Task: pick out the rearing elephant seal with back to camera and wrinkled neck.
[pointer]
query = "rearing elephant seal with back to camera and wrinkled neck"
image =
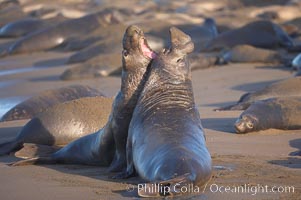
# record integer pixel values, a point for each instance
(166, 139)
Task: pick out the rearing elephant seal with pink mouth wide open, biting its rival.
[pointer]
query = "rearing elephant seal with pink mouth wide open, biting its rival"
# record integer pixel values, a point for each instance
(108, 145)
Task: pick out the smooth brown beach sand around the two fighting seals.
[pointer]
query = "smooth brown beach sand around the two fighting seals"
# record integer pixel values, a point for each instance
(257, 158)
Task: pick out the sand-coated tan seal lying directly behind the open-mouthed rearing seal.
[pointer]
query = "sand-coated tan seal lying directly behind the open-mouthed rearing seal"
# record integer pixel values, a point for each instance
(62, 123)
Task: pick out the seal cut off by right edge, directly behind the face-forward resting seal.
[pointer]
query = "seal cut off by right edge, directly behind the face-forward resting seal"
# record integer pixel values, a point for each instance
(285, 88)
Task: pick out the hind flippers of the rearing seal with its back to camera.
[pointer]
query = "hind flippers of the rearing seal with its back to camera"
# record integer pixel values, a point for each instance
(169, 187)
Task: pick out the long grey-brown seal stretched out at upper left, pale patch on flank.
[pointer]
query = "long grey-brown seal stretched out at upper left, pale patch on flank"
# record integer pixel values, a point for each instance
(54, 36)
